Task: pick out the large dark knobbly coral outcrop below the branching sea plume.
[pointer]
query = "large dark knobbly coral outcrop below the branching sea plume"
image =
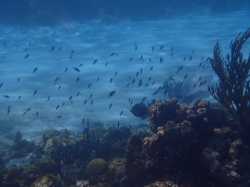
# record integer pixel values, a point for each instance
(194, 145)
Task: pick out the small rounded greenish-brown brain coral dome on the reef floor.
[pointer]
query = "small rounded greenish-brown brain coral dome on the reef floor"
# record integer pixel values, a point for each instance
(96, 167)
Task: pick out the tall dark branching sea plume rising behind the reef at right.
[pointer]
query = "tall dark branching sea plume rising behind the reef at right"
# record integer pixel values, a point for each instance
(233, 90)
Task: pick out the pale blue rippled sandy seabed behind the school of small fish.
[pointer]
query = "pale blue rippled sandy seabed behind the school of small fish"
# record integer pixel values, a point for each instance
(68, 45)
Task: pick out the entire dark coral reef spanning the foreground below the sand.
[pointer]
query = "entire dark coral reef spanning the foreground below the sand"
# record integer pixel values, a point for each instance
(196, 145)
